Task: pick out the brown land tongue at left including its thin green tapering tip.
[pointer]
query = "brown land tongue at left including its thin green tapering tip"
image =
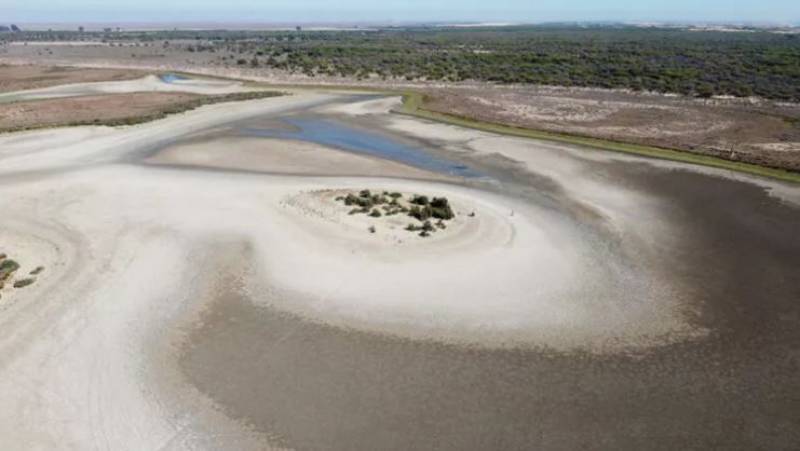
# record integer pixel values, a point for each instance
(110, 110)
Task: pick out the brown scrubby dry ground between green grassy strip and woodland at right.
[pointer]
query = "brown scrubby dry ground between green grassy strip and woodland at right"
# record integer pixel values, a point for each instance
(758, 132)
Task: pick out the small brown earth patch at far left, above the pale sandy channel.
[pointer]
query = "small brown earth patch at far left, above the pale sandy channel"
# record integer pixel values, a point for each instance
(17, 78)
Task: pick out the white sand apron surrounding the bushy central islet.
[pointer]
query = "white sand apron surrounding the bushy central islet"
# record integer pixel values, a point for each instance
(512, 274)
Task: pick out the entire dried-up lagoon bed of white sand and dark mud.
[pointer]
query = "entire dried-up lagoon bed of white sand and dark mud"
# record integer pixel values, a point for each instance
(203, 302)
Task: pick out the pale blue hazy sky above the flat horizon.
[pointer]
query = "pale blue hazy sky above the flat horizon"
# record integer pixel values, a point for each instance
(785, 11)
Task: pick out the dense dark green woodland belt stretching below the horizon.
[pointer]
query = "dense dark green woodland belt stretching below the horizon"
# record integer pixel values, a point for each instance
(690, 62)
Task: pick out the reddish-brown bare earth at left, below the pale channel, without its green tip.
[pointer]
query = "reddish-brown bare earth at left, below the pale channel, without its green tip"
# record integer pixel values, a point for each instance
(105, 109)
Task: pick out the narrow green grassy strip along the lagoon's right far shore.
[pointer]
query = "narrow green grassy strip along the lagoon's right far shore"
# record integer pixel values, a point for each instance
(414, 105)
